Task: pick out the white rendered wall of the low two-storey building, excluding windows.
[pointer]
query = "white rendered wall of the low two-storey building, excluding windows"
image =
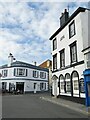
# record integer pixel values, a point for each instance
(28, 80)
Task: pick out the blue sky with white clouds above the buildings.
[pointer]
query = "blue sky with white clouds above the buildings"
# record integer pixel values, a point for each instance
(25, 28)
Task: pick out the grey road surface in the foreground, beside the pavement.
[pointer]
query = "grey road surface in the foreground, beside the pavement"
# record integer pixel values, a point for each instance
(32, 106)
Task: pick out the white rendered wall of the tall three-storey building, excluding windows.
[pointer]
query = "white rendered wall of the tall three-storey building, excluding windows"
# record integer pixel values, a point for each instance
(81, 33)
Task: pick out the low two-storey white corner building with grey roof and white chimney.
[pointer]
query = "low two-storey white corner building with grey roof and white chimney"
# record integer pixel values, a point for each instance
(22, 76)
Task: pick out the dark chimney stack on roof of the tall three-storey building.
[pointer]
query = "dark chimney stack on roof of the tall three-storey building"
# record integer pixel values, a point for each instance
(64, 17)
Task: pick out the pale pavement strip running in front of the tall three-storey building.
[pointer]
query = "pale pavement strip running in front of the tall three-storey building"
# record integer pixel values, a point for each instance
(69, 104)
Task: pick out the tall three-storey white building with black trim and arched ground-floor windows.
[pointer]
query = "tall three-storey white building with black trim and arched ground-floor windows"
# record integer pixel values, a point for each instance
(67, 54)
